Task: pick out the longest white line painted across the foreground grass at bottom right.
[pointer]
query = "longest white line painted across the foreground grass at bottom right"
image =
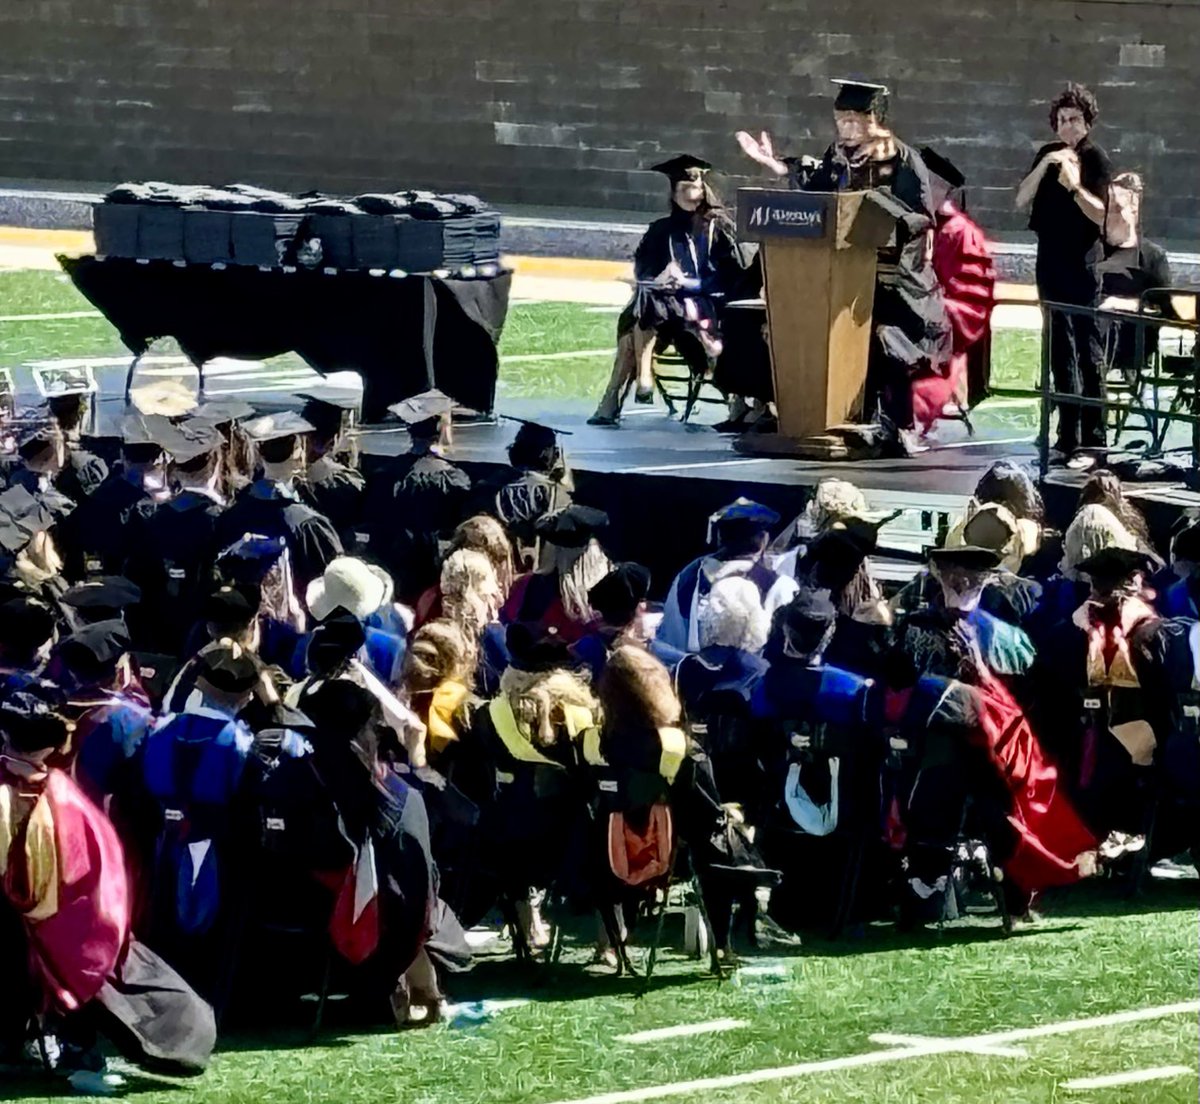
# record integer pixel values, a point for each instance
(883, 1058)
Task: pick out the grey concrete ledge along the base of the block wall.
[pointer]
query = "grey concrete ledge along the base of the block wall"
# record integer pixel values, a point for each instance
(599, 236)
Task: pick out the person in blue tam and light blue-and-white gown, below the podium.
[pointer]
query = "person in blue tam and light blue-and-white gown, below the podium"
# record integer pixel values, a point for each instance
(742, 532)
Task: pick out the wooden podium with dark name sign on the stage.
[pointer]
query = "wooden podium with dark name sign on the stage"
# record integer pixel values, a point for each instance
(819, 253)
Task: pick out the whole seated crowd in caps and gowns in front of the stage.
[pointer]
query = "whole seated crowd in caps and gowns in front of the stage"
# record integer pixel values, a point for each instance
(266, 722)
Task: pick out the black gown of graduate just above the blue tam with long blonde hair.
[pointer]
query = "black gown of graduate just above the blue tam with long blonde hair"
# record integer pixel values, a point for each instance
(272, 509)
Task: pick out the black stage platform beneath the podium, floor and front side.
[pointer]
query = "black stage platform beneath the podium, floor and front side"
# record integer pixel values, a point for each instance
(659, 481)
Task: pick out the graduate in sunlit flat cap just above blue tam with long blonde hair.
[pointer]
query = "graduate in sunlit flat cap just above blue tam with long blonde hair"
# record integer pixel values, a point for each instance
(271, 506)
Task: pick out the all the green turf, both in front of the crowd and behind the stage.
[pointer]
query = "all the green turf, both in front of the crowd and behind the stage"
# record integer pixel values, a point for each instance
(1093, 953)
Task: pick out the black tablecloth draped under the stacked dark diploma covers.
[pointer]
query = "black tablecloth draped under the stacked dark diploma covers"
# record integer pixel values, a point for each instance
(404, 335)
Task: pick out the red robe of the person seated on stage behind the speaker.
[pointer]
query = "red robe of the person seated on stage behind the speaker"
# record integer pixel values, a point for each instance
(967, 272)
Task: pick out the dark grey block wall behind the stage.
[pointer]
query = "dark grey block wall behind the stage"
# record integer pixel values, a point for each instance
(565, 103)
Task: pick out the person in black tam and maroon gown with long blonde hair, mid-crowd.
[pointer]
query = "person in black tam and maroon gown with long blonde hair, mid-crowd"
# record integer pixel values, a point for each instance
(555, 598)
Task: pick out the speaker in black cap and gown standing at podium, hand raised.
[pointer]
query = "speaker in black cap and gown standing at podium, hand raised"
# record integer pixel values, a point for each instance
(911, 334)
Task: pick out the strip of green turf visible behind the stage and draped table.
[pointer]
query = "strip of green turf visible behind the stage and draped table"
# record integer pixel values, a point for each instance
(533, 331)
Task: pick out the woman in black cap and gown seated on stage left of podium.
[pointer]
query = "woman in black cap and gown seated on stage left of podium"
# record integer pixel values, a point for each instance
(685, 266)
